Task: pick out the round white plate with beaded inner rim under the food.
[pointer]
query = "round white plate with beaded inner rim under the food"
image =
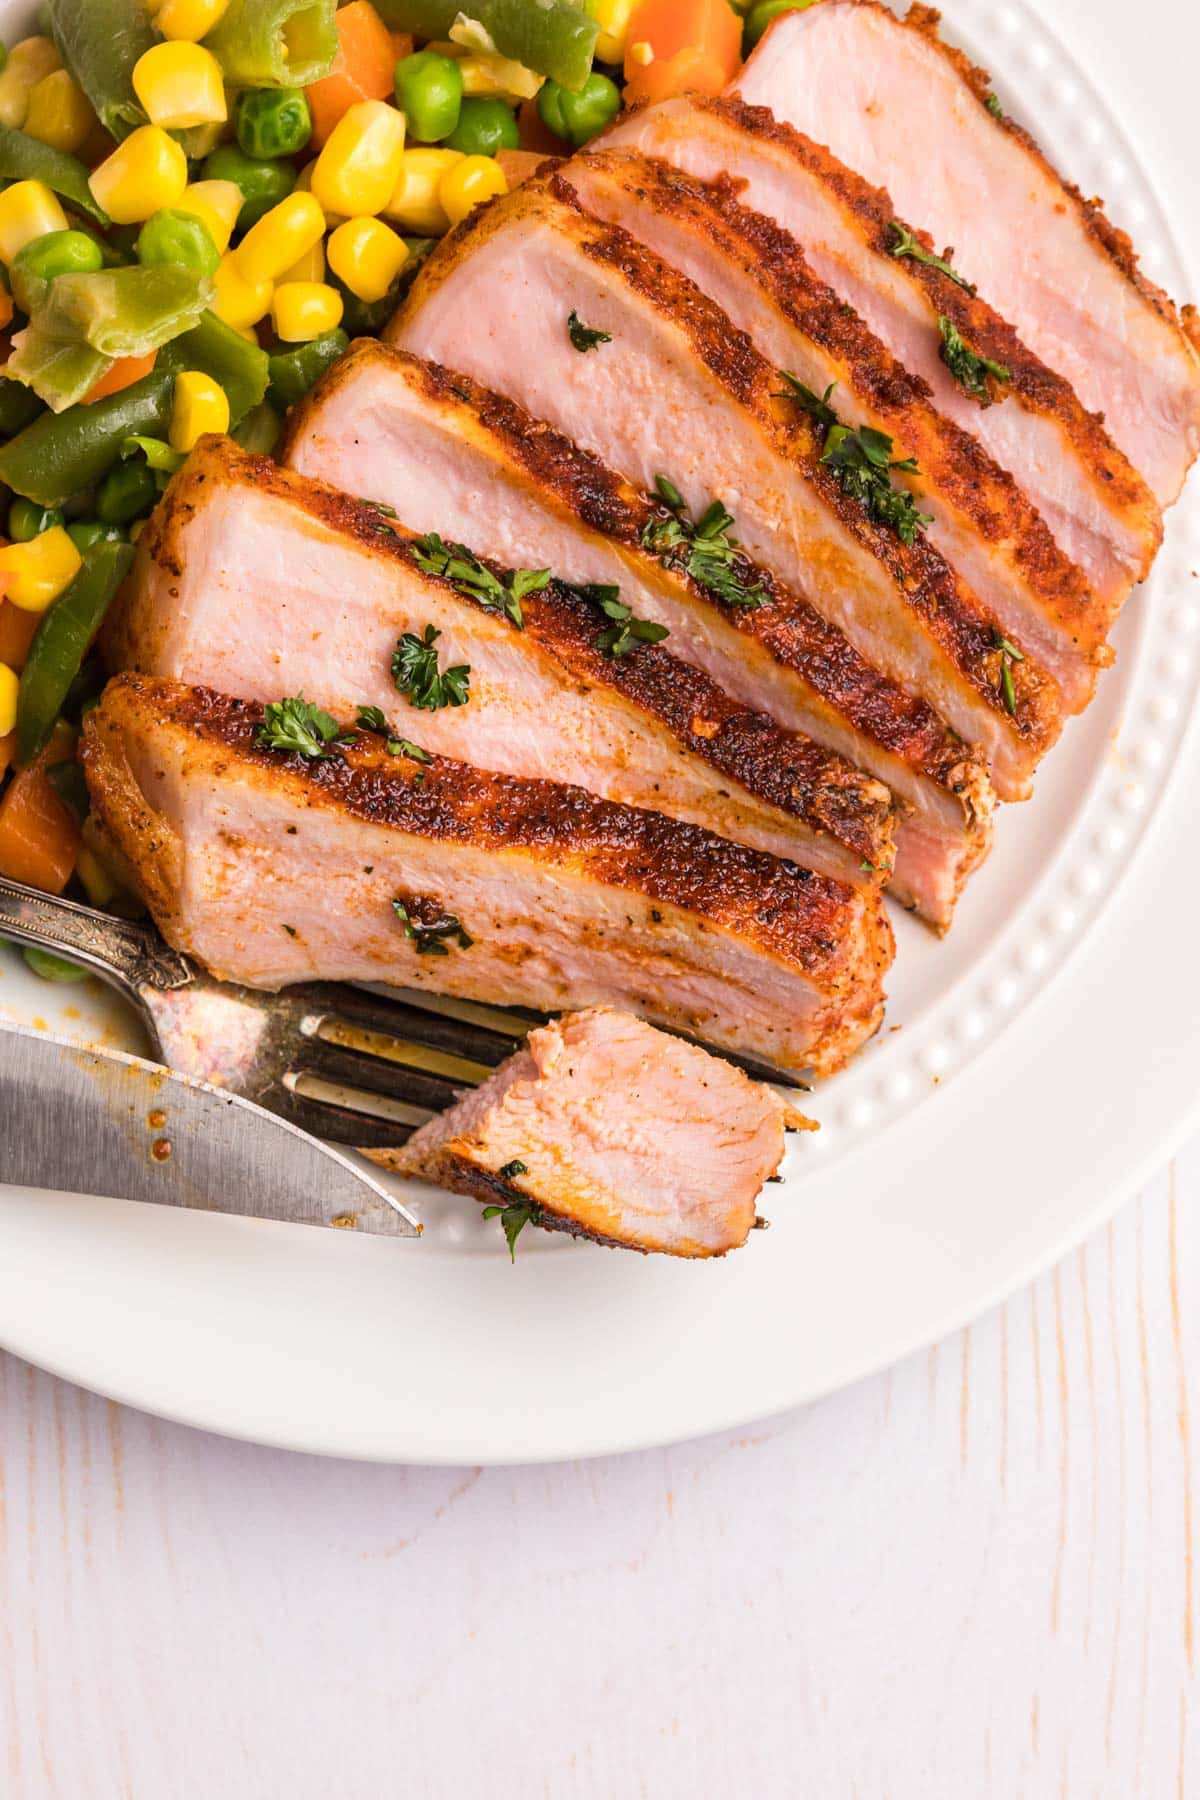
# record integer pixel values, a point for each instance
(1034, 1070)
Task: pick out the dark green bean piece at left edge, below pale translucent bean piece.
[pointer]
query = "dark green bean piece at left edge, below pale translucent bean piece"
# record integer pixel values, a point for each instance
(64, 454)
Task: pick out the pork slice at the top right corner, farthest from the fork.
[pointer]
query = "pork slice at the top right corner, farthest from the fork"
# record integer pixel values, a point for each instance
(911, 114)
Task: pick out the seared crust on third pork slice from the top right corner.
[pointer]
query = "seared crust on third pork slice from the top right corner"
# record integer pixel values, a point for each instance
(951, 458)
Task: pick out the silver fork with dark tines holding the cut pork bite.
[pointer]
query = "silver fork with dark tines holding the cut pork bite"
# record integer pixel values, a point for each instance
(343, 1063)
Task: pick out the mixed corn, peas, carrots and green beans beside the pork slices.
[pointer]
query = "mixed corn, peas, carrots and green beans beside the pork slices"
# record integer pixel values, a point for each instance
(201, 204)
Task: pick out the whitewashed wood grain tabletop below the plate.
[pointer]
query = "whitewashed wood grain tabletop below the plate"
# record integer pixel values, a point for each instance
(972, 1576)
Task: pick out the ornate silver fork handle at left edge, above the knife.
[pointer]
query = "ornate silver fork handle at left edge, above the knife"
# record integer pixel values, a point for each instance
(123, 951)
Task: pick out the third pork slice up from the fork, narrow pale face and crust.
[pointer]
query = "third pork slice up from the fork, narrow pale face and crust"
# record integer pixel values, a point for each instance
(469, 462)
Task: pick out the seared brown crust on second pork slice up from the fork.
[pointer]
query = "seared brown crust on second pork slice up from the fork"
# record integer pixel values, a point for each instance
(789, 771)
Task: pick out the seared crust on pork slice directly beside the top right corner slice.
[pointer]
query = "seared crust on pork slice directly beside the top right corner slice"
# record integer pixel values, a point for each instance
(1032, 382)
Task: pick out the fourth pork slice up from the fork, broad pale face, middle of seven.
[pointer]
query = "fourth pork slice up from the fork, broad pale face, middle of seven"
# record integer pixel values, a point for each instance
(681, 393)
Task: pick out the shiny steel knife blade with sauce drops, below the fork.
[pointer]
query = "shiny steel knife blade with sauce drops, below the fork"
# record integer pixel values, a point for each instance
(102, 1122)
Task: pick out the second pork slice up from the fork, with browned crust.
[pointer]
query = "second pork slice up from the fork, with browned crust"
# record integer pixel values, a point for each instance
(251, 577)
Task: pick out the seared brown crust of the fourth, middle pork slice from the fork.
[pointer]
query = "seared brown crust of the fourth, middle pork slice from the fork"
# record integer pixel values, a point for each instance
(945, 607)
